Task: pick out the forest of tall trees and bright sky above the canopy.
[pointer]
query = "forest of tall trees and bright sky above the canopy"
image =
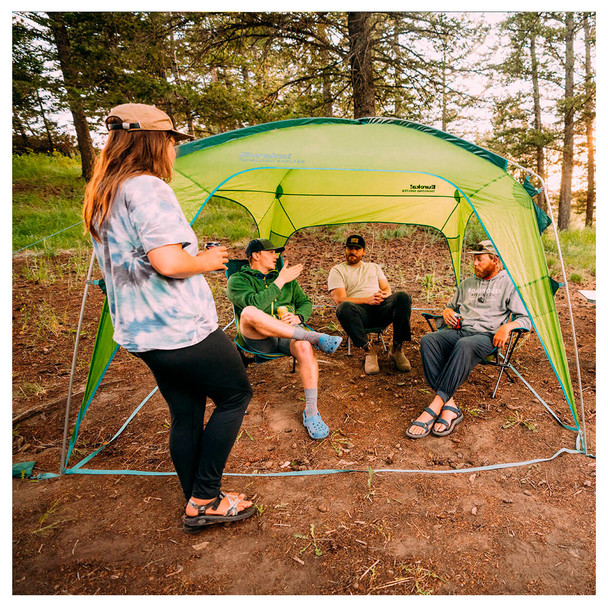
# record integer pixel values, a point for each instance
(521, 84)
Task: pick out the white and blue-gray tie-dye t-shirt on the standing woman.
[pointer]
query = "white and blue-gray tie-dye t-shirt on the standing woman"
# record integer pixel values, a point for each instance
(150, 311)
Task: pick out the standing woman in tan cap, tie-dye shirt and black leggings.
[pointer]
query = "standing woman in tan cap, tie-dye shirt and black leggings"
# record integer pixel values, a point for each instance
(162, 308)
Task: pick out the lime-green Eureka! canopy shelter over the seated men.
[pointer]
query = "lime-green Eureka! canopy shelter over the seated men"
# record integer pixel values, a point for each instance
(301, 173)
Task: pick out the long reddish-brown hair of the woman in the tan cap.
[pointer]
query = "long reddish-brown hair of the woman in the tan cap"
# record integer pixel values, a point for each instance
(126, 154)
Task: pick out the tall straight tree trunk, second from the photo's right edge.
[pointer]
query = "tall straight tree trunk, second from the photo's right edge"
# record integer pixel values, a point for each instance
(565, 194)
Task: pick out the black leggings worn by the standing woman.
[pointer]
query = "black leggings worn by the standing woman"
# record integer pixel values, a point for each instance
(186, 377)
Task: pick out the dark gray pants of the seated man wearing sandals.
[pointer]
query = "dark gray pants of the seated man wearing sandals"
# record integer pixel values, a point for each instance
(449, 355)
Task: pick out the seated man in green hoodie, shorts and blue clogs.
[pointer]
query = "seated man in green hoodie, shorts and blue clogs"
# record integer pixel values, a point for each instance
(272, 310)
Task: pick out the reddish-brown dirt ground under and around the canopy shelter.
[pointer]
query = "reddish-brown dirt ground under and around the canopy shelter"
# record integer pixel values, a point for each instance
(517, 530)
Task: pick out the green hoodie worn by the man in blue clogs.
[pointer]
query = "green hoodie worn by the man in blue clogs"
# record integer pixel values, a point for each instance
(250, 287)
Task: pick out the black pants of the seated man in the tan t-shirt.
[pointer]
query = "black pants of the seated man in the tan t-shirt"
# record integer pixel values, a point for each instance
(356, 318)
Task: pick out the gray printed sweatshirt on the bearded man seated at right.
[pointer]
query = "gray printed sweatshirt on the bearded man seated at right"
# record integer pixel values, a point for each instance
(485, 305)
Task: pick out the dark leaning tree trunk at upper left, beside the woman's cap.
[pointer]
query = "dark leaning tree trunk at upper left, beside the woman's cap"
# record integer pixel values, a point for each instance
(70, 79)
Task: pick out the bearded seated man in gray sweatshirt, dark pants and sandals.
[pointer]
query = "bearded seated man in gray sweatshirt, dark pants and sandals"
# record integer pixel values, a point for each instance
(479, 317)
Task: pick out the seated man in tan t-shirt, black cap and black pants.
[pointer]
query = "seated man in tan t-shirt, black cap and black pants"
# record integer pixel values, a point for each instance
(364, 299)
